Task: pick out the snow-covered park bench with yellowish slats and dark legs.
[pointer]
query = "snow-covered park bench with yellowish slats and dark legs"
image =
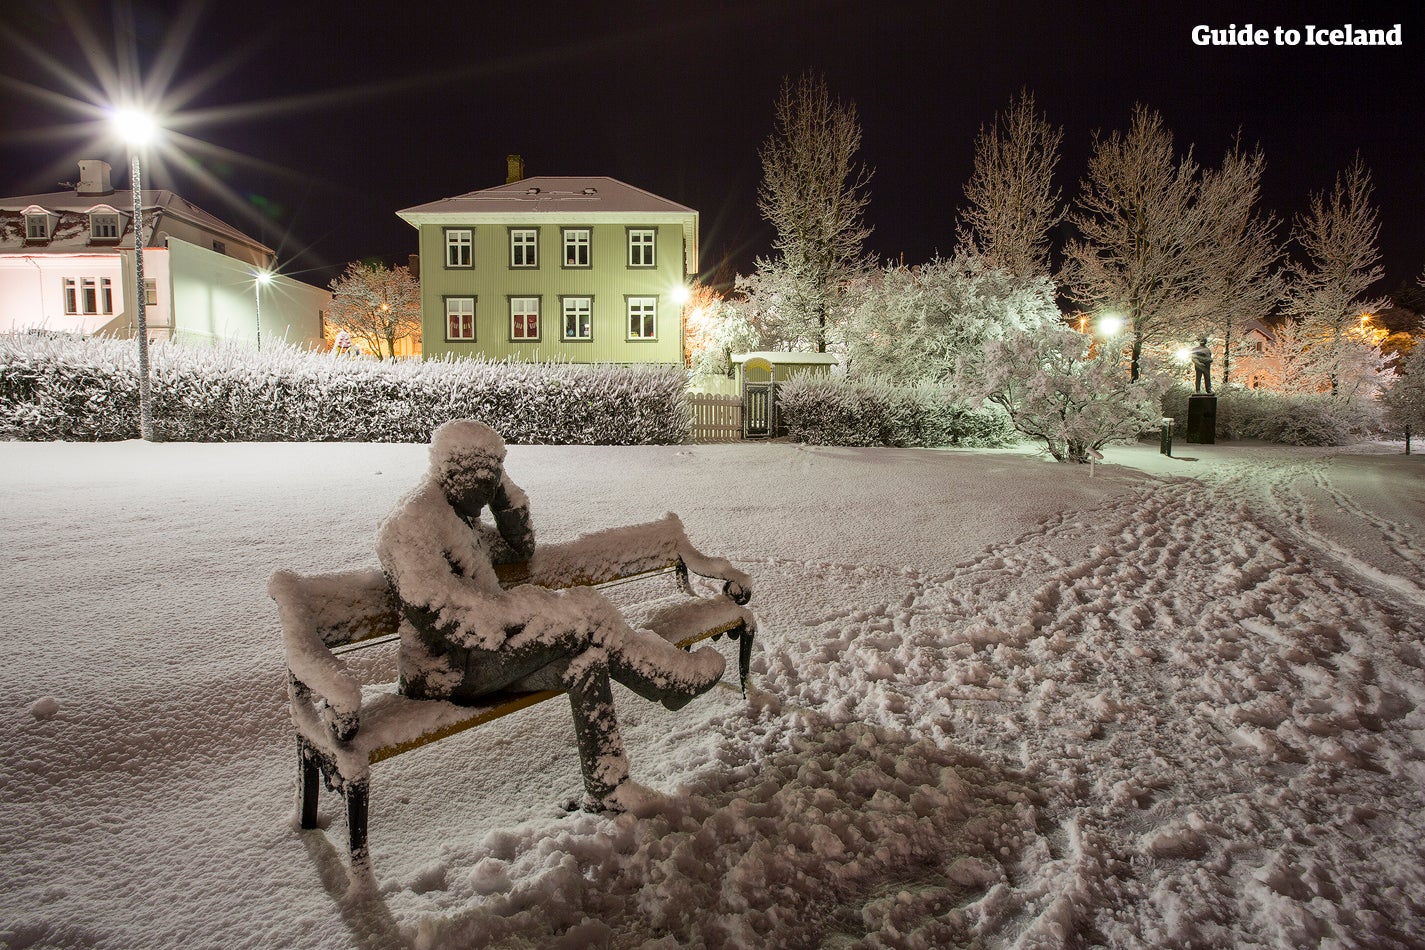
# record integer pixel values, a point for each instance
(346, 727)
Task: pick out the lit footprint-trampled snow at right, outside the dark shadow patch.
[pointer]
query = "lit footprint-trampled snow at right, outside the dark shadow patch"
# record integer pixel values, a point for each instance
(1211, 713)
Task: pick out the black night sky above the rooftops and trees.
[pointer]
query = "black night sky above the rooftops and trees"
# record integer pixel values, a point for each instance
(326, 119)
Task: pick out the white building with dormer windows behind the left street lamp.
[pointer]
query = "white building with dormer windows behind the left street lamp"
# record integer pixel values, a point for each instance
(68, 266)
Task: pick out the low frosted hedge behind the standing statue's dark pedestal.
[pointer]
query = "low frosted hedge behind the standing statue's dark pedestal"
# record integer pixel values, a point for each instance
(1286, 419)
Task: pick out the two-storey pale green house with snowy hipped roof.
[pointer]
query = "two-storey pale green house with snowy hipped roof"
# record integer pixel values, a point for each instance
(585, 270)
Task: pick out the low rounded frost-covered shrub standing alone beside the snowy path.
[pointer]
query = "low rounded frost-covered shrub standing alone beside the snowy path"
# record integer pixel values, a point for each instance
(1059, 388)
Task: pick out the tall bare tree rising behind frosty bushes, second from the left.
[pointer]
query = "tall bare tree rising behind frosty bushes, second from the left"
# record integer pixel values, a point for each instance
(1014, 202)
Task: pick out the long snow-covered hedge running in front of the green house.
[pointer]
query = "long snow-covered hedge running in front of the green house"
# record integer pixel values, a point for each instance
(88, 391)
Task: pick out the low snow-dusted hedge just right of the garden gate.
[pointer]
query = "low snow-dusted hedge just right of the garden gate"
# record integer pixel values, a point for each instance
(833, 412)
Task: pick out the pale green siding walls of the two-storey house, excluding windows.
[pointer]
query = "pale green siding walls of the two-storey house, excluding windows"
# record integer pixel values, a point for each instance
(609, 281)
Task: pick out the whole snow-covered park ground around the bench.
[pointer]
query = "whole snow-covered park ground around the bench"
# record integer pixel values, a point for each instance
(997, 703)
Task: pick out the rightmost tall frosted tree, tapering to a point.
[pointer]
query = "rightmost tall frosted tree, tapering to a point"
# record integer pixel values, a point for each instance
(1329, 290)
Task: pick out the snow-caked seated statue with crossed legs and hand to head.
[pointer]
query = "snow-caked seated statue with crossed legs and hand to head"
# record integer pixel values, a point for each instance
(465, 637)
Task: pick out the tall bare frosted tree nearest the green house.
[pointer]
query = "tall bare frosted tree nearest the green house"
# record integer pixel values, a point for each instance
(814, 194)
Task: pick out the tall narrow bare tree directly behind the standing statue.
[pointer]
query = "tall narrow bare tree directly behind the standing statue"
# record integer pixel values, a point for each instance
(1243, 276)
